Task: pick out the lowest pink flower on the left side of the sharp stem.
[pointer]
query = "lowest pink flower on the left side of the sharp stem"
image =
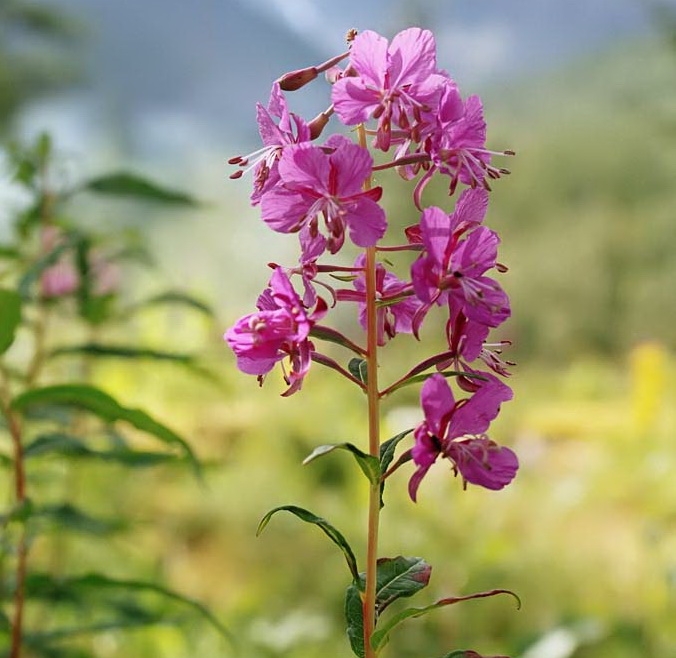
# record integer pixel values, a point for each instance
(280, 329)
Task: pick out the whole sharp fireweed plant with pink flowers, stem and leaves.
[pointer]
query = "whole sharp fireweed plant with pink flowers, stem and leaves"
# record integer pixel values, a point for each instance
(394, 99)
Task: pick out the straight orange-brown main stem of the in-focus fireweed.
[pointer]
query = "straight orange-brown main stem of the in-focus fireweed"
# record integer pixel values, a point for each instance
(373, 398)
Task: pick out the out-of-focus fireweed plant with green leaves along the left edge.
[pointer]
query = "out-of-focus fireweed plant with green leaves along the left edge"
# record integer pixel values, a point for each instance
(64, 305)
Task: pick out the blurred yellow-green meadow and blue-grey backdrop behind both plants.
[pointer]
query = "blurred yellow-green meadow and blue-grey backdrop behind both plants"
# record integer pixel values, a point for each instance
(585, 93)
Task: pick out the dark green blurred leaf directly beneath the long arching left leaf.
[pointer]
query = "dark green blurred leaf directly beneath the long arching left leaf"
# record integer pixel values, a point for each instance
(66, 445)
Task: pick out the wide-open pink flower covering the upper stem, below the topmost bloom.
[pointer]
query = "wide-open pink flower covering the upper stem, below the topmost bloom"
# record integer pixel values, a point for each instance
(325, 183)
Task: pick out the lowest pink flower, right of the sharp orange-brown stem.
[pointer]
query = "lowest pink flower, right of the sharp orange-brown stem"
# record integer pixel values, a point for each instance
(456, 430)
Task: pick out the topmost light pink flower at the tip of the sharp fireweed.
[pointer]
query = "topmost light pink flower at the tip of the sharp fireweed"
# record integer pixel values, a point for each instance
(395, 84)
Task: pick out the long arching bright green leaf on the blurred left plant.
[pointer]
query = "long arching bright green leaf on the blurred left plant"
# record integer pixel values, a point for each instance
(102, 405)
